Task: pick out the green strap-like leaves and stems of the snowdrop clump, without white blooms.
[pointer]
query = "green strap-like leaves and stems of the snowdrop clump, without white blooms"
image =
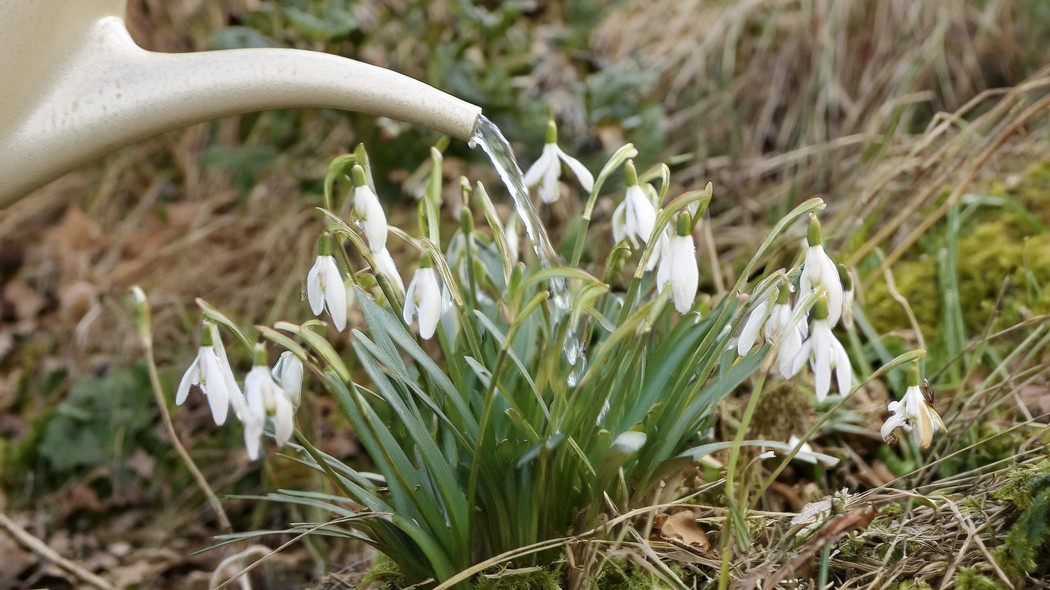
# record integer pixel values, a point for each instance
(503, 442)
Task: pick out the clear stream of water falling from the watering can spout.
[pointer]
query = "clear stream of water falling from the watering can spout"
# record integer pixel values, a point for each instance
(492, 141)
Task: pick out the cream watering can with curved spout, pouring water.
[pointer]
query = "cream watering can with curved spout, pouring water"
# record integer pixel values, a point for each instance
(75, 87)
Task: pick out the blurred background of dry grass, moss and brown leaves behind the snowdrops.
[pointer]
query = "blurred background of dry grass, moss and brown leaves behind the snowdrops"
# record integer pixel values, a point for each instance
(773, 101)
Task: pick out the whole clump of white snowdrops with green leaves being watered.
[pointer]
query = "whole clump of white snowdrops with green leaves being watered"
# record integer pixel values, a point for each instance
(487, 439)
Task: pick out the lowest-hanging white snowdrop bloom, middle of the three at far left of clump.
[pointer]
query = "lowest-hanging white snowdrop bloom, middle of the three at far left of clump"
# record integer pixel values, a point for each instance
(265, 398)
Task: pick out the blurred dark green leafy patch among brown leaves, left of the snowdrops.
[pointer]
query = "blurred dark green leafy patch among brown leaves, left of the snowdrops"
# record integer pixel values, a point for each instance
(102, 418)
